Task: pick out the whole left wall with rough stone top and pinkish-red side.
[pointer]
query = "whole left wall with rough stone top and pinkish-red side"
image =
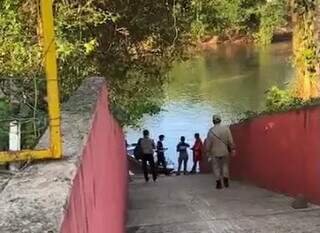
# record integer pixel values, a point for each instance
(50, 196)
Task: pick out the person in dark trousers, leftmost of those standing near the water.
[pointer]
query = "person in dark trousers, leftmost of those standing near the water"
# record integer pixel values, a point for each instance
(147, 147)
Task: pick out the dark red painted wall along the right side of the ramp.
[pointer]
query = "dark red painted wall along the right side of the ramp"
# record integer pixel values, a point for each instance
(280, 152)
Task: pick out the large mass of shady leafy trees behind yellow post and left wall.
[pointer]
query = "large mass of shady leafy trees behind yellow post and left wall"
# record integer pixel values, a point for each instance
(127, 42)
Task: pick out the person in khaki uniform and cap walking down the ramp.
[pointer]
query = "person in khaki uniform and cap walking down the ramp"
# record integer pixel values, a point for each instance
(219, 145)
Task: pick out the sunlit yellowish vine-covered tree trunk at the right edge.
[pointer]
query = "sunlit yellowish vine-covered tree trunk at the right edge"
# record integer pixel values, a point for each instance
(306, 48)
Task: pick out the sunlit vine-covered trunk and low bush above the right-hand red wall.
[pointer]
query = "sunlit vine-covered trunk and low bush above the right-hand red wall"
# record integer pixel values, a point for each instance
(304, 91)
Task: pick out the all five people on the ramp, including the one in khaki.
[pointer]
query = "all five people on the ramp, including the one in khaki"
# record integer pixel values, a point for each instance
(217, 147)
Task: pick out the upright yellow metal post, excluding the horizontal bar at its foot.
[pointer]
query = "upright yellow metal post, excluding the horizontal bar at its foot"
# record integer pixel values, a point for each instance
(49, 45)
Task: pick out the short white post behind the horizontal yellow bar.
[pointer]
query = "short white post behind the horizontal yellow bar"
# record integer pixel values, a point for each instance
(14, 142)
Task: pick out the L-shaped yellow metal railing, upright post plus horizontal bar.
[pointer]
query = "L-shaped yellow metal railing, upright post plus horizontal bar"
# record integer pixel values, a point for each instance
(49, 47)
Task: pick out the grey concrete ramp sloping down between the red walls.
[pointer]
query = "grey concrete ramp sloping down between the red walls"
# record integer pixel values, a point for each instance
(190, 204)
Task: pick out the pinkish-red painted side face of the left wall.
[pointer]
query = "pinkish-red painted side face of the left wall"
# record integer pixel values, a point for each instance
(99, 193)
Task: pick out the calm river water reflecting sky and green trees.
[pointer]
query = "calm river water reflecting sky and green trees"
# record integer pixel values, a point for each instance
(228, 81)
